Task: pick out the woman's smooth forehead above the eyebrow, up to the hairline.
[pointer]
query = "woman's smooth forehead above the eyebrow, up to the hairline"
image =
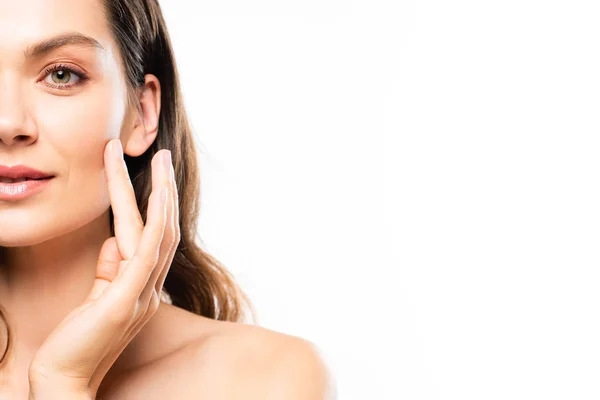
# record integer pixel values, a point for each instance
(26, 22)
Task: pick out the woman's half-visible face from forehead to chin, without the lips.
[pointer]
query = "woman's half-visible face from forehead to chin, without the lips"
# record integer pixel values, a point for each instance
(59, 106)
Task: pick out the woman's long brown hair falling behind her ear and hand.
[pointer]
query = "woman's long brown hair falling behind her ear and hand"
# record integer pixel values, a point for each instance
(196, 281)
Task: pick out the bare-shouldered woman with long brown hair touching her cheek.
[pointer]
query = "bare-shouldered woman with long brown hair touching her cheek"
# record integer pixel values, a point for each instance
(91, 116)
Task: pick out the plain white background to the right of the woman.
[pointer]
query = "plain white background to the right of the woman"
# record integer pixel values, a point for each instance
(412, 186)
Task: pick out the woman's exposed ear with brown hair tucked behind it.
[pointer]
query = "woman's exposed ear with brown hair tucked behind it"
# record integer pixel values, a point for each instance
(141, 125)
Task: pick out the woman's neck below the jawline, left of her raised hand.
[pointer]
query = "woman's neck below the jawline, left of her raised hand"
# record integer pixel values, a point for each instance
(40, 284)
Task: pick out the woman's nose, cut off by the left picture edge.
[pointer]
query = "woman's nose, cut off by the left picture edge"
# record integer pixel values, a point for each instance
(14, 127)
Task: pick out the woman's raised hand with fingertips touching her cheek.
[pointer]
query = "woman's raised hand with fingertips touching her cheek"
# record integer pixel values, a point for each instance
(130, 273)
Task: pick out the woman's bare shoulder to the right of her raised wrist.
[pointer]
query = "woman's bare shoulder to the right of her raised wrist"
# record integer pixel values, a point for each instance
(228, 361)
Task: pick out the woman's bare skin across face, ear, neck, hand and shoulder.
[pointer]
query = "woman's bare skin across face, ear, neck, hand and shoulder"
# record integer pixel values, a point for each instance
(52, 243)
